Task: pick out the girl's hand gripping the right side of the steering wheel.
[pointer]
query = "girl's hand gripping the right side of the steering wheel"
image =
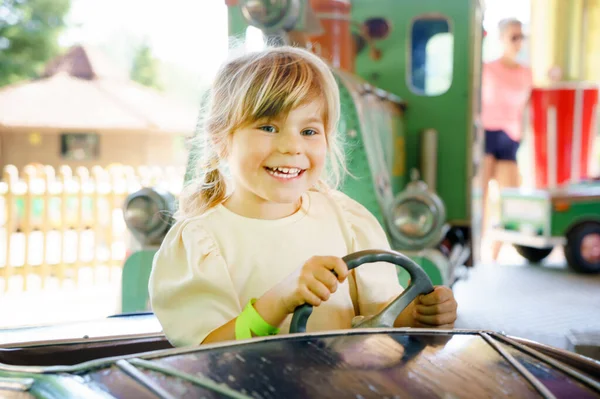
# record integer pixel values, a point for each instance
(437, 309)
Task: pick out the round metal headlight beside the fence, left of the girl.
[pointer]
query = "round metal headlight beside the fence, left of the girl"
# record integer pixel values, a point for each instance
(148, 214)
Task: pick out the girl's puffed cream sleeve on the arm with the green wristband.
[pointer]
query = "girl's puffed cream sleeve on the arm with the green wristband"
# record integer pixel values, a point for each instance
(190, 287)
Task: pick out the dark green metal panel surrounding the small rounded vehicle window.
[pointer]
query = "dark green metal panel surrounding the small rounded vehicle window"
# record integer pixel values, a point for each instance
(451, 113)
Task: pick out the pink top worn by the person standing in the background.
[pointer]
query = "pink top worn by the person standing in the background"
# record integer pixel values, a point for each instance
(504, 94)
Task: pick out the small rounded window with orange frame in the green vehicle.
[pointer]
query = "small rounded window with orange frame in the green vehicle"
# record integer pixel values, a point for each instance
(431, 56)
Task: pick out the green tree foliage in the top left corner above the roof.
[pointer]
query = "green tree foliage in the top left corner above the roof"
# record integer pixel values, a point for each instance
(29, 32)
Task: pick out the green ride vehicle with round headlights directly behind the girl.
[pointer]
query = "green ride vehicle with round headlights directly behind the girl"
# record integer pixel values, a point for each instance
(408, 75)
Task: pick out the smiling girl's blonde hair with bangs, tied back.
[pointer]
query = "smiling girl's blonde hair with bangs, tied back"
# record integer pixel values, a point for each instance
(250, 87)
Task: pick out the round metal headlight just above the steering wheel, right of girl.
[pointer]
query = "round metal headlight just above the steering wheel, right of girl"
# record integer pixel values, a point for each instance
(417, 217)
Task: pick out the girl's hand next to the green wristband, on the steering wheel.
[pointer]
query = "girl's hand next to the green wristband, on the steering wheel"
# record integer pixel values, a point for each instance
(313, 283)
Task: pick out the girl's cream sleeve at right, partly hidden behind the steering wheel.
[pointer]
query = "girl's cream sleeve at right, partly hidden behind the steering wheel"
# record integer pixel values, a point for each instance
(376, 283)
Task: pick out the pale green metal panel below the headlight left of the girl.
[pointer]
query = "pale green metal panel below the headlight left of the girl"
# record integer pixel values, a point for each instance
(136, 274)
